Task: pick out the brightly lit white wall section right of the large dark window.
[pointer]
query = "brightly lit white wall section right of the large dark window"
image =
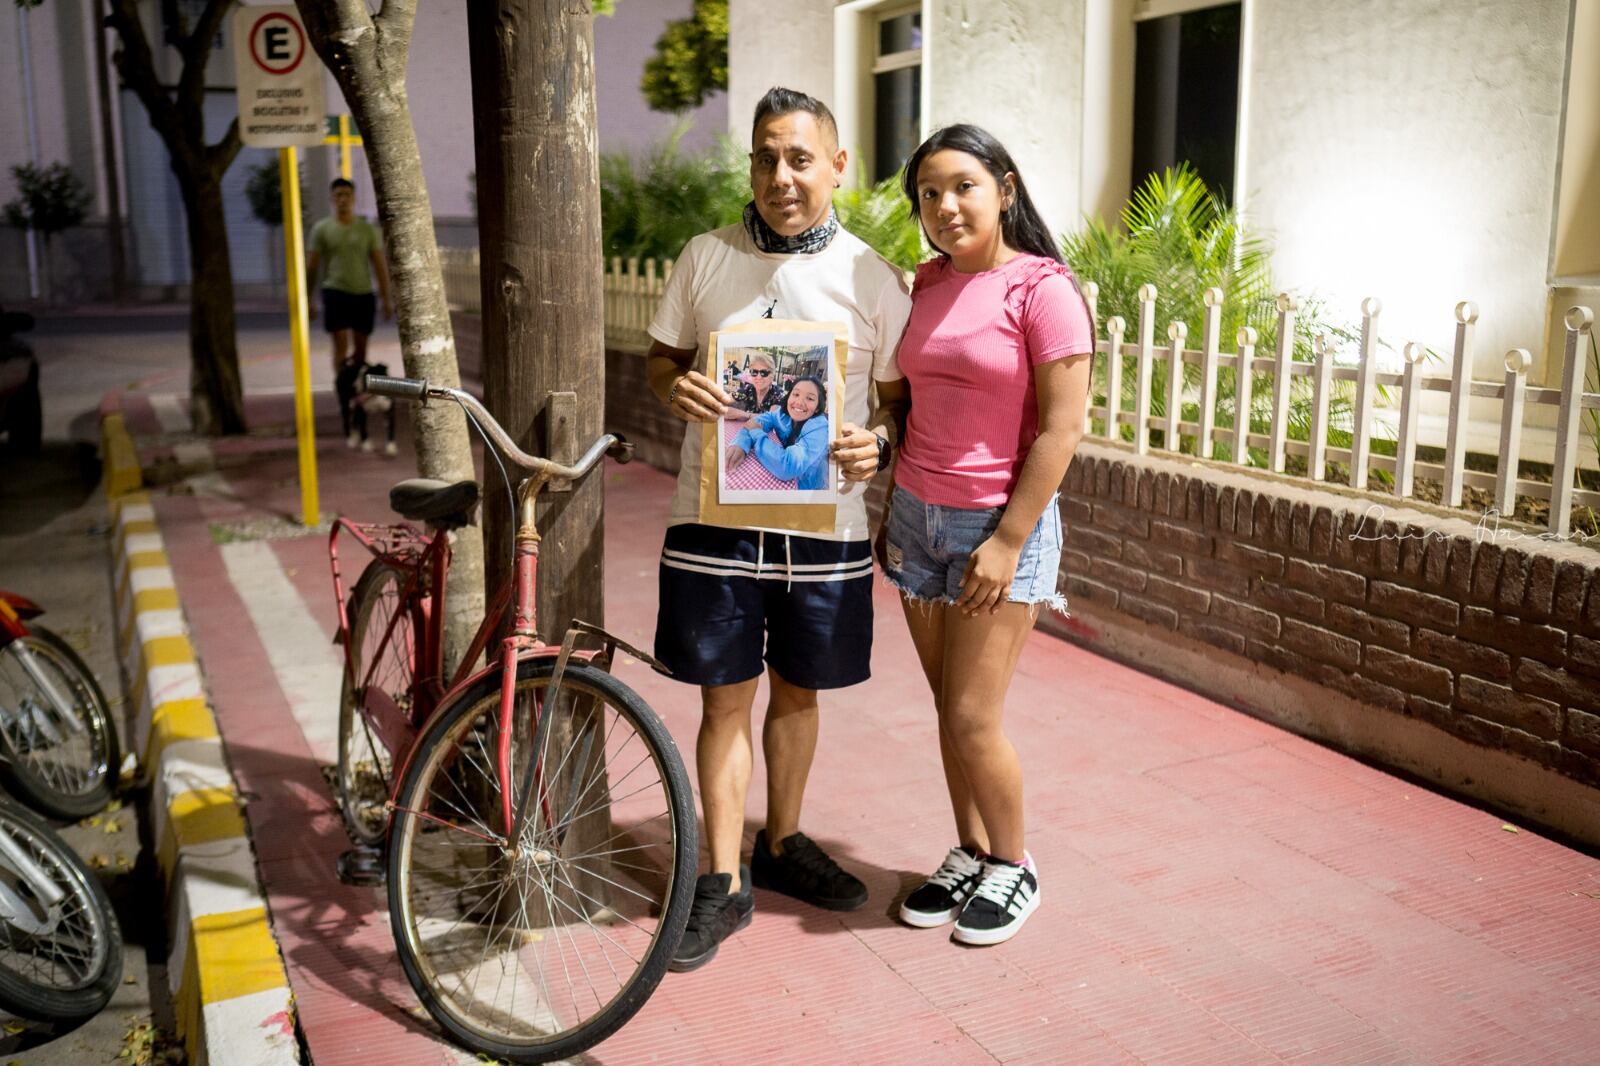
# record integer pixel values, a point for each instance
(1409, 153)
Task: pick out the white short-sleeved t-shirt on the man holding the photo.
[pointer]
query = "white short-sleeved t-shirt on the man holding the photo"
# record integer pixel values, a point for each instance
(722, 279)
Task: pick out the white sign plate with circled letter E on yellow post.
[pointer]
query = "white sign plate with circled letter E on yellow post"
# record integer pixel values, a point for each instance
(281, 81)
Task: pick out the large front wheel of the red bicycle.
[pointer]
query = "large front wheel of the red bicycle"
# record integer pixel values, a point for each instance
(545, 947)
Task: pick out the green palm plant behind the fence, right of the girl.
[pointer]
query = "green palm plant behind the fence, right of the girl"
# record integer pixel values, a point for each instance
(1177, 234)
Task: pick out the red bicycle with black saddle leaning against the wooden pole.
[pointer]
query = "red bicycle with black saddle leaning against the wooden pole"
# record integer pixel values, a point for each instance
(538, 822)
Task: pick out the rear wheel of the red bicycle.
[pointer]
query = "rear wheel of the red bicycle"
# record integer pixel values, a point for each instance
(383, 649)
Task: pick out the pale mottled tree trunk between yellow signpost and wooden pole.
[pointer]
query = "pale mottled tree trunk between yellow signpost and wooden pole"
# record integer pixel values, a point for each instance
(369, 60)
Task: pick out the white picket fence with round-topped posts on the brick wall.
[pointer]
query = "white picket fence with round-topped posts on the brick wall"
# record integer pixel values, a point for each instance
(633, 291)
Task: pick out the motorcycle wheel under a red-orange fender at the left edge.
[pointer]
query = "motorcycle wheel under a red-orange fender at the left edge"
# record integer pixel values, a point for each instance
(60, 743)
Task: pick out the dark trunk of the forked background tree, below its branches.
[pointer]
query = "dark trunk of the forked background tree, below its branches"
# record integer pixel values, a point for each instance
(217, 395)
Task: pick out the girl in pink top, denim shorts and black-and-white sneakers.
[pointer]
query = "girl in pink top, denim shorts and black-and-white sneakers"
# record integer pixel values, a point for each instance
(998, 366)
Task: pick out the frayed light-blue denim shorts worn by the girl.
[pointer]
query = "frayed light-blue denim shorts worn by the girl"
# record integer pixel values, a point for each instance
(929, 547)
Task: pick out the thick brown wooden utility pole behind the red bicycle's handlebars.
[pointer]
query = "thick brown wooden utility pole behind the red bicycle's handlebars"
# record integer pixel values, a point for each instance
(534, 105)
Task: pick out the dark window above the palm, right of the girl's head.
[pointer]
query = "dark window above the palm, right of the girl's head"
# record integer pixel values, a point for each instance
(1186, 95)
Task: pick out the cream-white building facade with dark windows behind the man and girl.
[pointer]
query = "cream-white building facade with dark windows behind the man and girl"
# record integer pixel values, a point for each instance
(1423, 154)
